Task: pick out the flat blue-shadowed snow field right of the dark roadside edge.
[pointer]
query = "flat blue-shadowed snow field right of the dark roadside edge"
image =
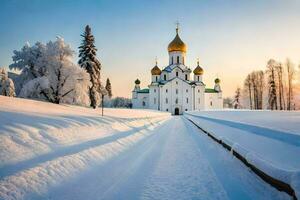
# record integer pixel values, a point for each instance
(268, 140)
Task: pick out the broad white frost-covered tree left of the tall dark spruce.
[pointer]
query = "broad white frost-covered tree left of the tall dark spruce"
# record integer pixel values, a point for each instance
(48, 73)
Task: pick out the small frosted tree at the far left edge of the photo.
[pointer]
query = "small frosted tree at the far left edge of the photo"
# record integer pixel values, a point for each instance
(7, 87)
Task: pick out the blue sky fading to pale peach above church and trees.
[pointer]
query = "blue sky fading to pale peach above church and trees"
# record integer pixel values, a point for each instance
(230, 37)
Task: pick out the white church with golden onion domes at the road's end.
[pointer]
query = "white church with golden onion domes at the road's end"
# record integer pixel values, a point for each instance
(173, 90)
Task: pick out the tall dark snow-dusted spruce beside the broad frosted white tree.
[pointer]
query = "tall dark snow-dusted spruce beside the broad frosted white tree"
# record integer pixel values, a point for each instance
(89, 61)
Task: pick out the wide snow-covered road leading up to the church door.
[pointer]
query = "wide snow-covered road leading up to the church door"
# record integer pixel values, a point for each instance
(177, 161)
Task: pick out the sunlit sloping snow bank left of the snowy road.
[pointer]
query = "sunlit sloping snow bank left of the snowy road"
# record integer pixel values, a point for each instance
(43, 144)
